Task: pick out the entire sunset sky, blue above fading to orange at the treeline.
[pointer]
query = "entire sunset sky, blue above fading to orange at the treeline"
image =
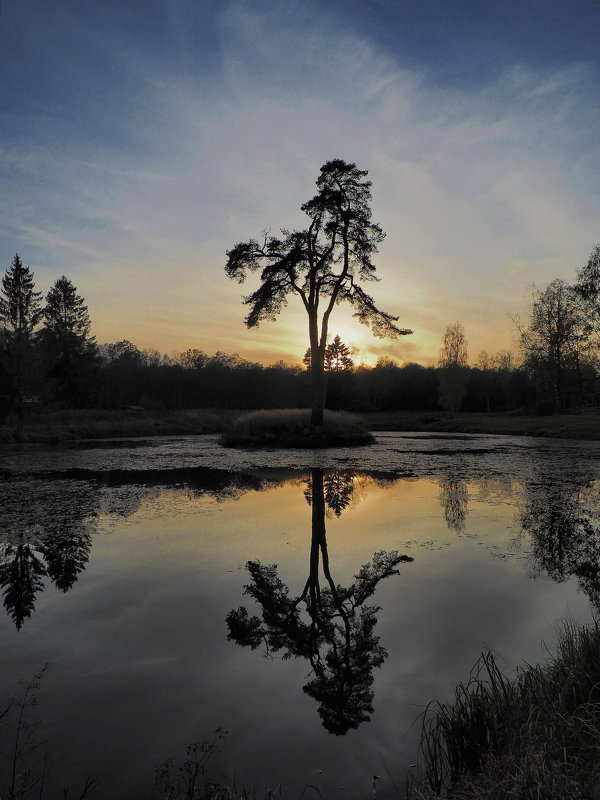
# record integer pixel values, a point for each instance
(141, 140)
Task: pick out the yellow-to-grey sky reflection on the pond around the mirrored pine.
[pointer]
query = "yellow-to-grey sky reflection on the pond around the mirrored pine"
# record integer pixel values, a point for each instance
(140, 664)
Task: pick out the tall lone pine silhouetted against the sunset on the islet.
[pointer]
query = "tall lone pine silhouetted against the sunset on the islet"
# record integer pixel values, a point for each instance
(321, 264)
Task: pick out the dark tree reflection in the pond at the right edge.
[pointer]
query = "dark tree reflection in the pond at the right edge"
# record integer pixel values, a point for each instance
(563, 521)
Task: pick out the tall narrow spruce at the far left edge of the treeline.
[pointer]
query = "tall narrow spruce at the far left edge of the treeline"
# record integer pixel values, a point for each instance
(19, 314)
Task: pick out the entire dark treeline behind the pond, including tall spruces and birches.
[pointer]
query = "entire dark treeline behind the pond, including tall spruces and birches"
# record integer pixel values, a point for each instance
(49, 359)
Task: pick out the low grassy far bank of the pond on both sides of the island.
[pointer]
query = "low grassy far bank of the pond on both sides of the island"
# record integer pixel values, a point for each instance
(62, 426)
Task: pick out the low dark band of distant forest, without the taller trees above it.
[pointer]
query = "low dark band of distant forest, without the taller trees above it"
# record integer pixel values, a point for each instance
(119, 375)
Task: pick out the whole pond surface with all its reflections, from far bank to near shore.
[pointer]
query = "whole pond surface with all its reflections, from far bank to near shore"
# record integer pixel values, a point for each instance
(144, 576)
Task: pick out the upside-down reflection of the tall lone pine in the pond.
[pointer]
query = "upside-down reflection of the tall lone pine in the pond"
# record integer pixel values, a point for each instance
(337, 635)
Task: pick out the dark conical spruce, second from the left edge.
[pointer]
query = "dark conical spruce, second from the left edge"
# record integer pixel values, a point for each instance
(69, 351)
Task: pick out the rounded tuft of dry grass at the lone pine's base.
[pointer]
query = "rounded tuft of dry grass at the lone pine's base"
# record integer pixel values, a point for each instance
(291, 428)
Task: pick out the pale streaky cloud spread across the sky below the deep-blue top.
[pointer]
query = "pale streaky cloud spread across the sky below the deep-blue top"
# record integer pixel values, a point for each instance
(481, 191)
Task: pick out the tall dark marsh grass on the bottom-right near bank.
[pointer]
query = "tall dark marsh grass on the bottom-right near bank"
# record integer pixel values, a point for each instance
(535, 736)
